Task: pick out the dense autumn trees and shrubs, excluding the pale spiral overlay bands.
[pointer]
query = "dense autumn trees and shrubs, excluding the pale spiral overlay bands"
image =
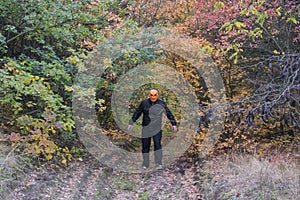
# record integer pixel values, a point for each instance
(43, 45)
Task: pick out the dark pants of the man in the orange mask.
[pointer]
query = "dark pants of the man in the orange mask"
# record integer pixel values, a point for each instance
(146, 143)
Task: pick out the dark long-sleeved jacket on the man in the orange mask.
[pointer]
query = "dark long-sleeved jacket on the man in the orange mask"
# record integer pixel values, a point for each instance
(152, 113)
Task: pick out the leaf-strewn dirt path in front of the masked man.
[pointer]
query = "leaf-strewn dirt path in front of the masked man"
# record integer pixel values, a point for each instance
(89, 180)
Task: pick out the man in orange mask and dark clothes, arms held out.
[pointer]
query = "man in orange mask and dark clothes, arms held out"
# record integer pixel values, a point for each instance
(152, 109)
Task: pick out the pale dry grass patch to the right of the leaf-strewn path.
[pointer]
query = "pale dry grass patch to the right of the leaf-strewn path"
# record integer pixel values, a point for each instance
(248, 177)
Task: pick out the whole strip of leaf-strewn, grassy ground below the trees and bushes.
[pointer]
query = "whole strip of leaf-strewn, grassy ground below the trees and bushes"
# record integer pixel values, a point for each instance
(222, 177)
